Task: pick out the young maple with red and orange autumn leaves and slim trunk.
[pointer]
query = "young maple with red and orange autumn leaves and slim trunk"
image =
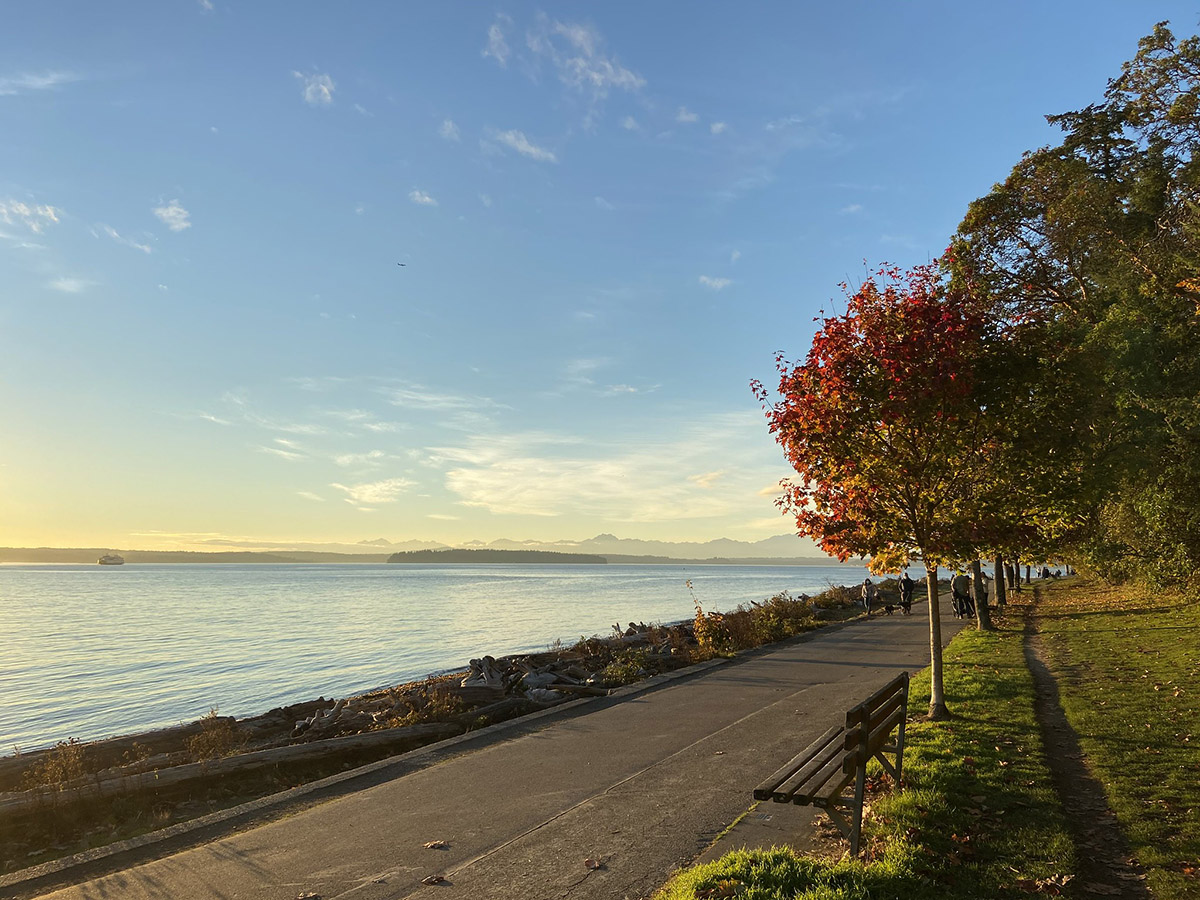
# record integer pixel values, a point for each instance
(889, 429)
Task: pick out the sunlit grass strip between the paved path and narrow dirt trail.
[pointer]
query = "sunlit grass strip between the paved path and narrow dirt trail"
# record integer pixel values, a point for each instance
(979, 817)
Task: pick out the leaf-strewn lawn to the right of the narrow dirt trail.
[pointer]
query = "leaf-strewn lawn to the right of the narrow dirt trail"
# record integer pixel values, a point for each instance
(1129, 670)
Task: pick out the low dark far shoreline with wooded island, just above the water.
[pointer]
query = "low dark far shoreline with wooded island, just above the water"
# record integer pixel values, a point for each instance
(88, 556)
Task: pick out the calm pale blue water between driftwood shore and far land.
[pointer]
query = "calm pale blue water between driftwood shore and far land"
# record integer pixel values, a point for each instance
(91, 652)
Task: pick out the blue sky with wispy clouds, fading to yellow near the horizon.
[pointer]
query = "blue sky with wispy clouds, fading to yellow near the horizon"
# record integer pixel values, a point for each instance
(610, 218)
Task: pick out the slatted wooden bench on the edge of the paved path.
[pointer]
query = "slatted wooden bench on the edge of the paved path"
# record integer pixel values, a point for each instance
(818, 776)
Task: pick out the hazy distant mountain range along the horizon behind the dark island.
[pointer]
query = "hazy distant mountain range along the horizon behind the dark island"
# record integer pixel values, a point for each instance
(782, 549)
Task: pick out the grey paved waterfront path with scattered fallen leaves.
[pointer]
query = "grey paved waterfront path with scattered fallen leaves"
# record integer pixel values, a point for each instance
(643, 784)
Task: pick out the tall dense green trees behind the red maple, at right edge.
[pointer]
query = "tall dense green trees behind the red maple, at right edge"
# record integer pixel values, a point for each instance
(1090, 250)
